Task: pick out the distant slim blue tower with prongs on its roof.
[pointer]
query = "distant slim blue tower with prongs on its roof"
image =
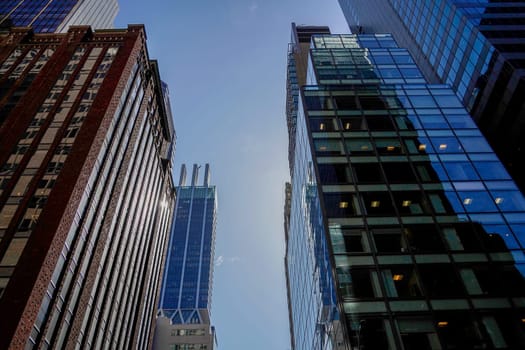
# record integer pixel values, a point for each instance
(185, 301)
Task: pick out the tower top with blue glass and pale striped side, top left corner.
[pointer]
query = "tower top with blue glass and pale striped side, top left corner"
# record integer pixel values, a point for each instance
(57, 15)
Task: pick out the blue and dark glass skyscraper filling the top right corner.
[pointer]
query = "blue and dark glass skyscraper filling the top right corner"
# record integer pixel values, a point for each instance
(477, 47)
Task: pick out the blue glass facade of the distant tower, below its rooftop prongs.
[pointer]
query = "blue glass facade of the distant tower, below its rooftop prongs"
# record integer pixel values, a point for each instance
(189, 262)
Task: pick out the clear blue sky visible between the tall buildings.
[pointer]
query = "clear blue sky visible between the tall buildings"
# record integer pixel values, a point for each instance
(225, 64)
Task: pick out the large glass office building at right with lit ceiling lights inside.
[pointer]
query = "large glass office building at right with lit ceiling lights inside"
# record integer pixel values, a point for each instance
(403, 229)
